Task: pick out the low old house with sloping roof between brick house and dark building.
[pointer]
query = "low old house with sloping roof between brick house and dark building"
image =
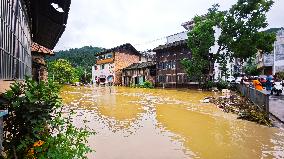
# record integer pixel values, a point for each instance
(138, 73)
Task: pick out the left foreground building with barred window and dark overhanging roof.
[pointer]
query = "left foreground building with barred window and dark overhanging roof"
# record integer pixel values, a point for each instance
(21, 23)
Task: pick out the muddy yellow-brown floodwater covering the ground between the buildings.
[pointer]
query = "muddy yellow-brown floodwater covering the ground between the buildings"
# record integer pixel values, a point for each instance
(132, 123)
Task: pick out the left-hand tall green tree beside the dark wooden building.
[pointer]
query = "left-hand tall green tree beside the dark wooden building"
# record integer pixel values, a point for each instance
(200, 40)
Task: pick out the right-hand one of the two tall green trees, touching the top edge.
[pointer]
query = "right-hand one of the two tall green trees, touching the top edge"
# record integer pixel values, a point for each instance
(241, 36)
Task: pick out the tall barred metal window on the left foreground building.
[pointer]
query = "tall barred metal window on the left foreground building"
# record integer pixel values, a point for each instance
(15, 41)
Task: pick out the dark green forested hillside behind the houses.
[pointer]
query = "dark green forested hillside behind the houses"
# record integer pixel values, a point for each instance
(84, 57)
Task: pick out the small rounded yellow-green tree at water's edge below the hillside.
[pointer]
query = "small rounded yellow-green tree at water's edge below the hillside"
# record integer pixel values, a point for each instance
(62, 71)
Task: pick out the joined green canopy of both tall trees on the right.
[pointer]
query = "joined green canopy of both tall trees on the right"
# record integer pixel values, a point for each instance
(240, 36)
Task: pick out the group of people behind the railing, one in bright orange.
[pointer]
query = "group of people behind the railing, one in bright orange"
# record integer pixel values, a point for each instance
(260, 83)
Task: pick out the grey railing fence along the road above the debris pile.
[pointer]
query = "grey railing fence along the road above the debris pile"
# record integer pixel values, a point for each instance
(257, 97)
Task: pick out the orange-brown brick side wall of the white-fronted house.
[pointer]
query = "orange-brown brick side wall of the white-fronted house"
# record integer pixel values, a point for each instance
(121, 61)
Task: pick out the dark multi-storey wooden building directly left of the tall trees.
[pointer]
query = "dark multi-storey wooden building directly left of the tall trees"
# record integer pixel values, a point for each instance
(169, 69)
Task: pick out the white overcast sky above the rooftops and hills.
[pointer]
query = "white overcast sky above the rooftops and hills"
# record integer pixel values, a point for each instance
(109, 23)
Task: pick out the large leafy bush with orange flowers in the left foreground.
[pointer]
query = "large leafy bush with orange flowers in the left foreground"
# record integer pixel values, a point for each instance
(35, 128)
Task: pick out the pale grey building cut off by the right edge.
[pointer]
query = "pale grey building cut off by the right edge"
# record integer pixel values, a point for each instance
(279, 52)
